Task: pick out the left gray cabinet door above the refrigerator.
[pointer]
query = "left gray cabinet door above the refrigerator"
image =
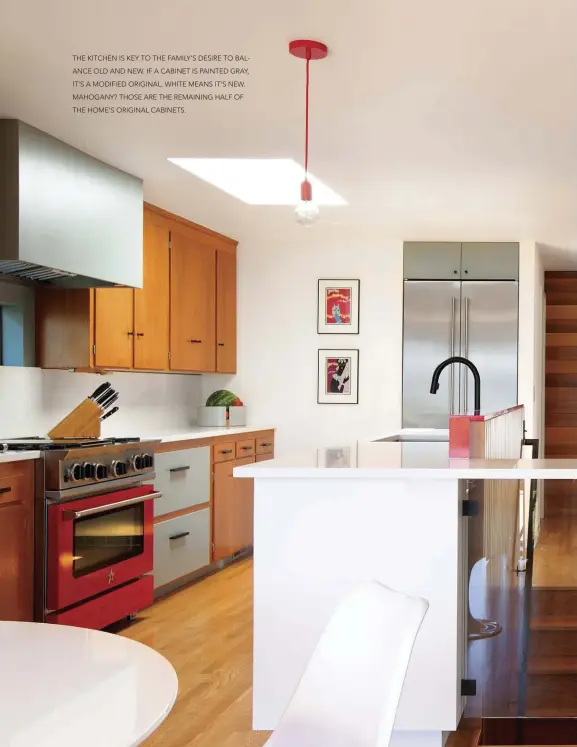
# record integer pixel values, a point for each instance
(431, 260)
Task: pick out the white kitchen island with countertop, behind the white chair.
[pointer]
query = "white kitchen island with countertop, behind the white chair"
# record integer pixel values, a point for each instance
(393, 509)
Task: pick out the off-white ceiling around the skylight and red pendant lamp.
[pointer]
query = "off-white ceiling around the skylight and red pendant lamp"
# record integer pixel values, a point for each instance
(434, 120)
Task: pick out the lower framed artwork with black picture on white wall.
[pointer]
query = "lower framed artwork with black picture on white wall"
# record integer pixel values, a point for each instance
(338, 380)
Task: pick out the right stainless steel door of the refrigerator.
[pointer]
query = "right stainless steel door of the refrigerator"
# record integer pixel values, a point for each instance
(489, 337)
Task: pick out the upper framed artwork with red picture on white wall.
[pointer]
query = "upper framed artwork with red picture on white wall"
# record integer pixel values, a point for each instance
(338, 307)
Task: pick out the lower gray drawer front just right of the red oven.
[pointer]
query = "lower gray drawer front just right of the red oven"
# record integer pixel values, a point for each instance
(181, 546)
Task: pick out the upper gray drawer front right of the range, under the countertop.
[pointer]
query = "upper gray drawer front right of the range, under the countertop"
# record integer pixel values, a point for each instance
(183, 478)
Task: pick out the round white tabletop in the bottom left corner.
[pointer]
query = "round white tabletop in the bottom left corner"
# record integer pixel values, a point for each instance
(65, 687)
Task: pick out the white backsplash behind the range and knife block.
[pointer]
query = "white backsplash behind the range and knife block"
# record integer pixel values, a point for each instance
(32, 400)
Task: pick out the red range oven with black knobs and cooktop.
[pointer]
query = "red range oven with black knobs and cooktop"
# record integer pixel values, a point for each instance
(99, 522)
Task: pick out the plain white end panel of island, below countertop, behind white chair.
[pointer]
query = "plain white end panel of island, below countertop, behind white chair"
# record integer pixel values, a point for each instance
(315, 540)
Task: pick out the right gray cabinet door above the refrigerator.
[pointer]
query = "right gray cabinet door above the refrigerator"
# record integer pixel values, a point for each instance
(489, 261)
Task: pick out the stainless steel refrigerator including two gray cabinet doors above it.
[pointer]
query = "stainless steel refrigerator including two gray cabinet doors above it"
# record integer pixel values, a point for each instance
(459, 299)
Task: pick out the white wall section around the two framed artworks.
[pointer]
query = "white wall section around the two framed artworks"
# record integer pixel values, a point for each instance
(278, 340)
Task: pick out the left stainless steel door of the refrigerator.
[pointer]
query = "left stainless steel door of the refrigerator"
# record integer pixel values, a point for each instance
(431, 334)
